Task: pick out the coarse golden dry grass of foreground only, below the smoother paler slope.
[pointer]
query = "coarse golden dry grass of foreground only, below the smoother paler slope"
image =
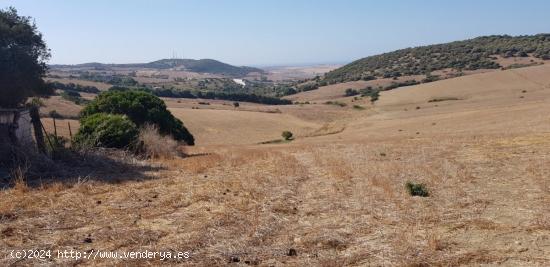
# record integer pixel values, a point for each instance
(335, 204)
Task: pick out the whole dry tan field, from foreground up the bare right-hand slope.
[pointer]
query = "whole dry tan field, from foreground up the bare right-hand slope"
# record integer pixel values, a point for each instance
(479, 143)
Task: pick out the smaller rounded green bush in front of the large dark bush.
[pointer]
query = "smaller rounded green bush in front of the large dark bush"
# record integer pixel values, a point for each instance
(106, 130)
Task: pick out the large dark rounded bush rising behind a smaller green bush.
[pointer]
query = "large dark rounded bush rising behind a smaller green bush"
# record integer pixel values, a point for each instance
(140, 107)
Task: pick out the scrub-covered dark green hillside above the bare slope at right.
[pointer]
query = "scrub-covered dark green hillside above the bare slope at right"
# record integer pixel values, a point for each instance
(472, 54)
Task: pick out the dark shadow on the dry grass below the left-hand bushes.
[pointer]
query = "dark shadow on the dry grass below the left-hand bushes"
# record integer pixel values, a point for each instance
(70, 167)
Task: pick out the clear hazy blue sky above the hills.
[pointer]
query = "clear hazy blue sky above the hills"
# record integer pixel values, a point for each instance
(260, 32)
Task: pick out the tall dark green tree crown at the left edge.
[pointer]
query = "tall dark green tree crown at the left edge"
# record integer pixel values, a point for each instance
(23, 56)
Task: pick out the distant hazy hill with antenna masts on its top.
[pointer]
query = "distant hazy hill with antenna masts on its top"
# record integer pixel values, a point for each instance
(192, 65)
